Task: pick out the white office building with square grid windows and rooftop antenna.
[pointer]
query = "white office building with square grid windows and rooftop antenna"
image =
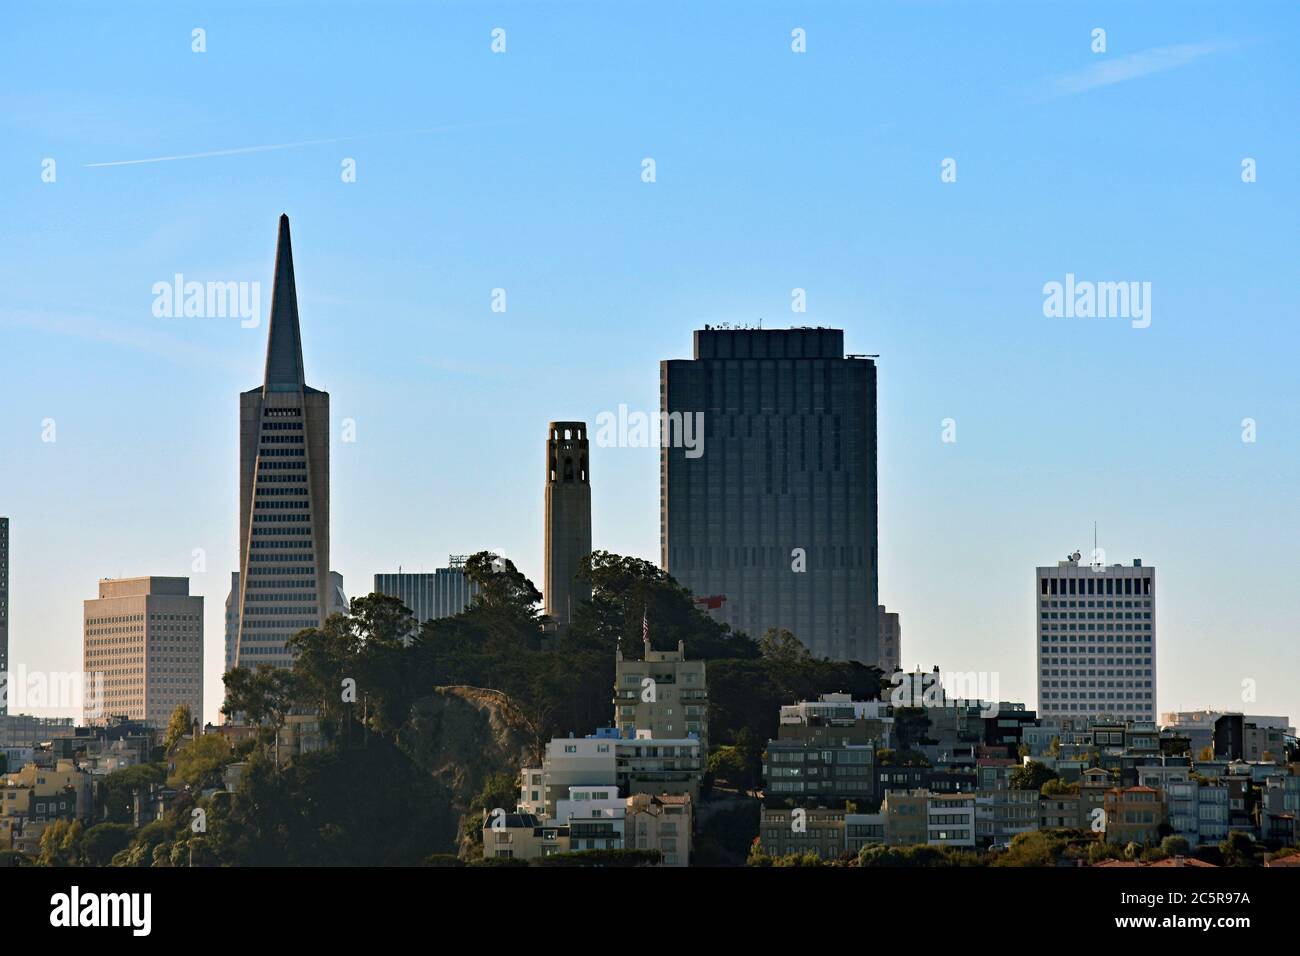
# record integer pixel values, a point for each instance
(1097, 639)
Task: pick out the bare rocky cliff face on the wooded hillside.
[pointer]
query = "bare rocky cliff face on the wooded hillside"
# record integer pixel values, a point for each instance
(462, 736)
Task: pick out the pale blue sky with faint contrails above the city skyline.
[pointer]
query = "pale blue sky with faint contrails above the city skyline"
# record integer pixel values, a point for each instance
(523, 171)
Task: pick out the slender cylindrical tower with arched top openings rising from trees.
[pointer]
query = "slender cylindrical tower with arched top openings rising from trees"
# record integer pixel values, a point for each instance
(569, 518)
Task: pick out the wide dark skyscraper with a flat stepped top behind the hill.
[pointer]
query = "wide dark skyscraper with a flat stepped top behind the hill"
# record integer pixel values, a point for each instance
(774, 507)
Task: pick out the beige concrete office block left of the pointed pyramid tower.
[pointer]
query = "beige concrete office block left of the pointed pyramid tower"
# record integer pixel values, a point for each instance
(145, 637)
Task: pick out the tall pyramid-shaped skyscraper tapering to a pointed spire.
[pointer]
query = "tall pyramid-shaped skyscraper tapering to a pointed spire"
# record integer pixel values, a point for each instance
(284, 490)
